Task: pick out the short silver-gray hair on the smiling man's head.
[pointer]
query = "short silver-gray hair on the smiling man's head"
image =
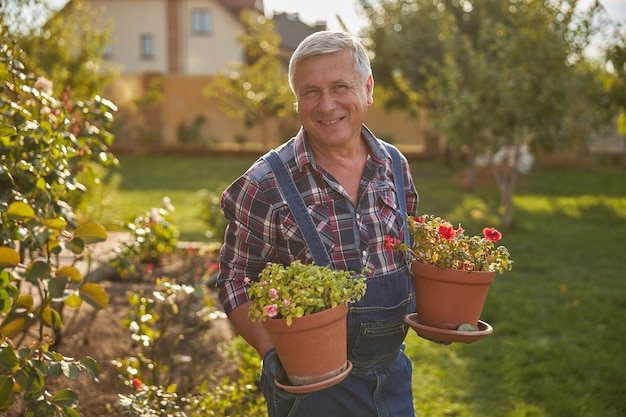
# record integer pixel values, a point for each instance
(328, 42)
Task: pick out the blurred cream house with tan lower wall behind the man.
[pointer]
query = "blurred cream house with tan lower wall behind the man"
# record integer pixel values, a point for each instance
(169, 49)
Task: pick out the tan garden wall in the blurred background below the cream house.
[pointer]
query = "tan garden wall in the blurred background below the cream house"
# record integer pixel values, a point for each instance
(185, 101)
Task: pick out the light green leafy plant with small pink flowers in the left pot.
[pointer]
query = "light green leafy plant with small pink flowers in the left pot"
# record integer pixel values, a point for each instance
(301, 289)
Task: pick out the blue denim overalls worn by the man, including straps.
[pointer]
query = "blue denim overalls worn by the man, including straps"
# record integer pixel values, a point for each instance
(379, 384)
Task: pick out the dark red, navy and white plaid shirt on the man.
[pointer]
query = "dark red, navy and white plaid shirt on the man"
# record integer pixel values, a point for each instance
(261, 228)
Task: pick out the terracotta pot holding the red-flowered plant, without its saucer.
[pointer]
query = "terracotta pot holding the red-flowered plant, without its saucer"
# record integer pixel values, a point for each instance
(447, 298)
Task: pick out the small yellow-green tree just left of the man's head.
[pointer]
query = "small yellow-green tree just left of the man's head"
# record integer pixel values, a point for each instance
(257, 90)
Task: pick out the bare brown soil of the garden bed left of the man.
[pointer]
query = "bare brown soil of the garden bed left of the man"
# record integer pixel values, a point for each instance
(100, 335)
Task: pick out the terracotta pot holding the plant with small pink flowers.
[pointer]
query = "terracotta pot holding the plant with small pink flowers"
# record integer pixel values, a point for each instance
(314, 348)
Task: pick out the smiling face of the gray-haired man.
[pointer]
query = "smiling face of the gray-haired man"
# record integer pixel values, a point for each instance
(332, 99)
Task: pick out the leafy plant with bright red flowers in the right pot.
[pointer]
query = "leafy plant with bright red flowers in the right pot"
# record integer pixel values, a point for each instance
(436, 242)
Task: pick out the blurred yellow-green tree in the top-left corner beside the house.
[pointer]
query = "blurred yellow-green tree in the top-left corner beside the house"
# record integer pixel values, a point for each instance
(67, 46)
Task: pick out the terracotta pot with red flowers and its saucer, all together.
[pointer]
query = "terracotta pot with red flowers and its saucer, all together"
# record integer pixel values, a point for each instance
(452, 273)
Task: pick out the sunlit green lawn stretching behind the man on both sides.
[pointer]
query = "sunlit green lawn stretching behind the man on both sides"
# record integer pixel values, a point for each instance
(559, 317)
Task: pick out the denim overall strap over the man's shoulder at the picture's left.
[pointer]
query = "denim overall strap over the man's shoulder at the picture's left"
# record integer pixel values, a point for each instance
(298, 209)
